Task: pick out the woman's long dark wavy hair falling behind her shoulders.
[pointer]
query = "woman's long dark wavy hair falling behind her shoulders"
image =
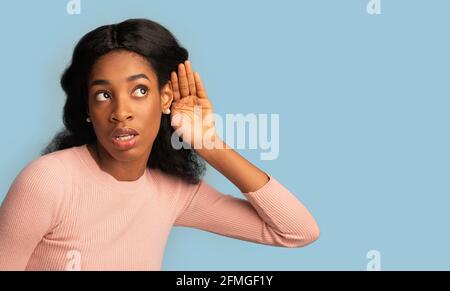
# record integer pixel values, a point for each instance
(155, 43)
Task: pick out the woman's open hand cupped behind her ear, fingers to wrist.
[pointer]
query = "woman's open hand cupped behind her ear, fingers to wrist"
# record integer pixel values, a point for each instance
(191, 111)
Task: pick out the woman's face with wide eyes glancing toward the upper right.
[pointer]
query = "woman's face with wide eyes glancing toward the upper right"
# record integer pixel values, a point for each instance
(123, 92)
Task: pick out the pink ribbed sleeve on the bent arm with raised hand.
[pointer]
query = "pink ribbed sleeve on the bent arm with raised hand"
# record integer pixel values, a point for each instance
(271, 215)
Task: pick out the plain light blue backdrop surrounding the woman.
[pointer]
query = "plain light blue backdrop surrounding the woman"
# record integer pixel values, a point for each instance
(363, 103)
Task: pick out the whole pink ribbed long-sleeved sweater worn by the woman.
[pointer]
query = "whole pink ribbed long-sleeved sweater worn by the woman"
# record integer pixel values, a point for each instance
(62, 212)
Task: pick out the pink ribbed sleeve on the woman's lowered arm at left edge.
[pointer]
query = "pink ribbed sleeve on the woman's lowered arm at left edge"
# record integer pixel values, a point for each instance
(29, 211)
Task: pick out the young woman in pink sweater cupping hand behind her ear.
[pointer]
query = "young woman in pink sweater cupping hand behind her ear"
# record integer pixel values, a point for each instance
(107, 190)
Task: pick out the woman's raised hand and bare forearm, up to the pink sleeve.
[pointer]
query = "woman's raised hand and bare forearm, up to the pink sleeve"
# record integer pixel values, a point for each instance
(189, 108)
